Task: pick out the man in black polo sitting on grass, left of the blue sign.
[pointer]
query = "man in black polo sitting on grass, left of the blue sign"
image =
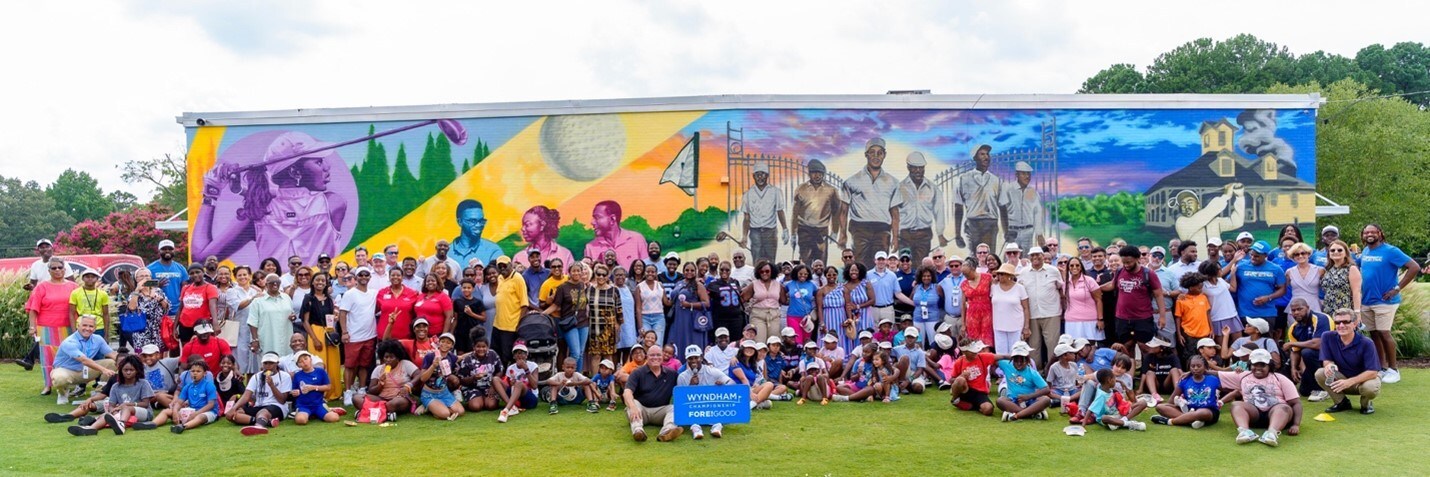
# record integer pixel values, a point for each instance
(649, 398)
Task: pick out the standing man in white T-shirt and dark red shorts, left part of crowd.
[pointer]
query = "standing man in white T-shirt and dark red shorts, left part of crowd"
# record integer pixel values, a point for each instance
(358, 316)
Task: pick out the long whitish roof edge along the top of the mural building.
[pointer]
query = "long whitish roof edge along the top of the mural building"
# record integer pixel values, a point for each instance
(730, 102)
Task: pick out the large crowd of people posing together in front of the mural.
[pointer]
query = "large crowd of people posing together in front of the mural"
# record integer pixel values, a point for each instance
(1103, 335)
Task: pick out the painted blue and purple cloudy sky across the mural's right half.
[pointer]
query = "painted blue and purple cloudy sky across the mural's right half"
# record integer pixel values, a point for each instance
(1099, 151)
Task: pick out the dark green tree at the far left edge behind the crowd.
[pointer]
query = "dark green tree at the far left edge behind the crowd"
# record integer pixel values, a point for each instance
(28, 215)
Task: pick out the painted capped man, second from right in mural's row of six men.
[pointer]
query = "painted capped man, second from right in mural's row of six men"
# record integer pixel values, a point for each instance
(976, 199)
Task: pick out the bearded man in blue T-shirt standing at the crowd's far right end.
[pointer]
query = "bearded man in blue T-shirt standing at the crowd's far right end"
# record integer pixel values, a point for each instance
(1381, 293)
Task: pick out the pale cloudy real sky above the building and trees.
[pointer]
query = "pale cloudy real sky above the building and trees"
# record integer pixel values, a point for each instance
(92, 88)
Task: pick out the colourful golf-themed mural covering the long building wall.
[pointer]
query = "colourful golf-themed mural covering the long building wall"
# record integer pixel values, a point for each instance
(780, 184)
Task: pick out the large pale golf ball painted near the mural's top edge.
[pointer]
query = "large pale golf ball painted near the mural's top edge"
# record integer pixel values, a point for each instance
(583, 148)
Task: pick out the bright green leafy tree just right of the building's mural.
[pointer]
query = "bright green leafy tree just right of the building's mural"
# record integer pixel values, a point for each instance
(1372, 156)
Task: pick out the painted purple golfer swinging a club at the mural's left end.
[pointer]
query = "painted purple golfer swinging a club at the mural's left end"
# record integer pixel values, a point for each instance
(288, 194)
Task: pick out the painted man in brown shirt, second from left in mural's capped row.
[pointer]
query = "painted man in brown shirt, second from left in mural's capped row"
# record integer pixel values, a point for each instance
(816, 214)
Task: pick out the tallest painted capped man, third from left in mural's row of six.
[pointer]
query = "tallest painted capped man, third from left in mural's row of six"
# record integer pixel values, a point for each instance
(873, 209)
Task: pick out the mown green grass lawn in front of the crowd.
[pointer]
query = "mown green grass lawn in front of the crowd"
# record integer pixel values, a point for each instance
(920, 435)
